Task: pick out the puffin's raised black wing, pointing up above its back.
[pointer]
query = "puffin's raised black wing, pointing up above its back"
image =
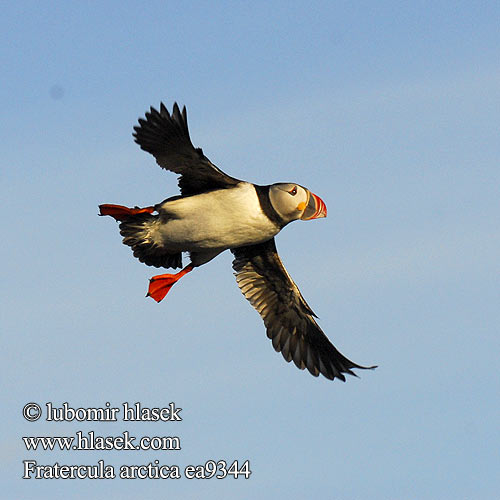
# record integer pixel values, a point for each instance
(166, 137)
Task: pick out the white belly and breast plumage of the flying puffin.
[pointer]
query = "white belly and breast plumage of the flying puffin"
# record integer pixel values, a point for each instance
(213, 222)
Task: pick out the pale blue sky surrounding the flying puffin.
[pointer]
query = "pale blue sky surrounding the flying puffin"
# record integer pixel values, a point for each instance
(388, 111)
